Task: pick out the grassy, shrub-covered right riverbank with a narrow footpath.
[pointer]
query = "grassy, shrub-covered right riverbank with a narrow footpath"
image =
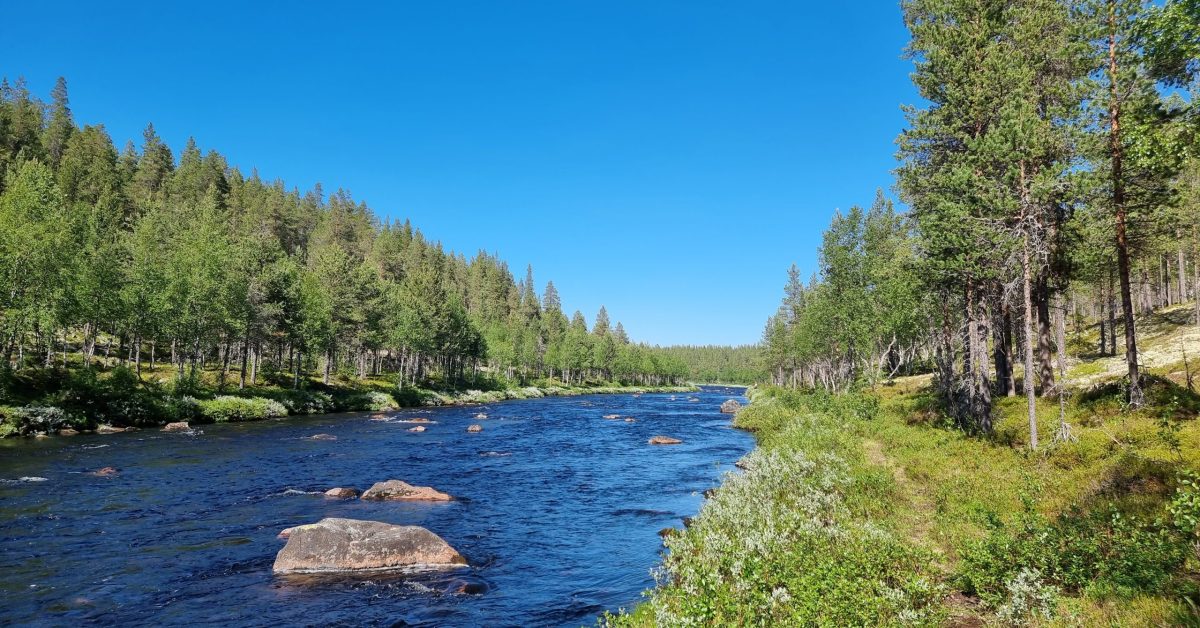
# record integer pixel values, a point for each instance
(869, 510)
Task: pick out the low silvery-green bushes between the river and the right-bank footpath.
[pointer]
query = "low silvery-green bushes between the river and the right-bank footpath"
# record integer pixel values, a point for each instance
(796, 540)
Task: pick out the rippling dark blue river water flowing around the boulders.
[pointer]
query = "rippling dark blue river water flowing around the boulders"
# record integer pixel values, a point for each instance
(559, 515)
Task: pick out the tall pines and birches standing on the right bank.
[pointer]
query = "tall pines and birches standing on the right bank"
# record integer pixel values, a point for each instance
(1053, 174)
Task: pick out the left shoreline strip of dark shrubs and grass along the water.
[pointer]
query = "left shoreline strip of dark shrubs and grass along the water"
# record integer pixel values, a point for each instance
(115, 404)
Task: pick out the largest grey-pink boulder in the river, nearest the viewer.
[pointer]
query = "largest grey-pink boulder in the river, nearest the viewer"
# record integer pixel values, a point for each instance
(340, 546)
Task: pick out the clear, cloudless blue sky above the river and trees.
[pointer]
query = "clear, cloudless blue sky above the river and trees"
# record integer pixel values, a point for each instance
(668, 160)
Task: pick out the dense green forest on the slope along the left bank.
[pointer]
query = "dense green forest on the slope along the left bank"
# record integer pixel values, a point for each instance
(143, 258)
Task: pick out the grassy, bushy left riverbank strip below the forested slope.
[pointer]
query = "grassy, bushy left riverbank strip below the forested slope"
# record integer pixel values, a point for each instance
(52, 402)
